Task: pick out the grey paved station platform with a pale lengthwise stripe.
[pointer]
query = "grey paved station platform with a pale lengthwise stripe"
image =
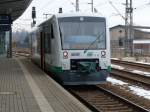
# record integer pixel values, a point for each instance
(26, 88)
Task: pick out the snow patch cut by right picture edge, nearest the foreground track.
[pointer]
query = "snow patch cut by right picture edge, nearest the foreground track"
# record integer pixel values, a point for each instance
(141, 92)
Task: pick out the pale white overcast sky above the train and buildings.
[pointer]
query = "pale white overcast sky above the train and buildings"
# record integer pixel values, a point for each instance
(141, 15)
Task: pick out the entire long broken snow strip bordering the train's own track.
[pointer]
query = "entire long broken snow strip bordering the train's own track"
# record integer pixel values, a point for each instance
(134, 89)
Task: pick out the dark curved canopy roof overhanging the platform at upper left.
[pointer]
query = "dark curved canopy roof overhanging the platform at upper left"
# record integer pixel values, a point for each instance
(15, 8)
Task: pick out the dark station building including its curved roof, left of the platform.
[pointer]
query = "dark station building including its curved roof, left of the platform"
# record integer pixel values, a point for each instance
(10, 10)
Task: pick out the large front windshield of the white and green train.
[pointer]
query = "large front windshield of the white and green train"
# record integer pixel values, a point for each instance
(79, 33)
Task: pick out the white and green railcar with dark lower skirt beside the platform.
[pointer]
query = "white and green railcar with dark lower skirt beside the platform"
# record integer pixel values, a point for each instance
(75, 48)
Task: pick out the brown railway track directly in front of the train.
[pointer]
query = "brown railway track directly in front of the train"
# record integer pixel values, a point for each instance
(102, 100)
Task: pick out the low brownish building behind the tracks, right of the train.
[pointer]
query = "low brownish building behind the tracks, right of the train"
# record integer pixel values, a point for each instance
(140, 46)
